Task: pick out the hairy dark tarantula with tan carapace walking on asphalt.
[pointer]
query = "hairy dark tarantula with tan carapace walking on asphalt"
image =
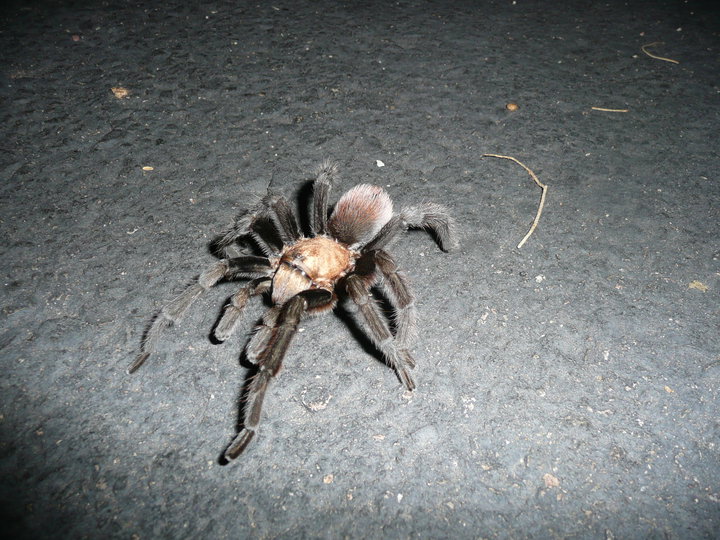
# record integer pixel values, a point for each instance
(345, 256)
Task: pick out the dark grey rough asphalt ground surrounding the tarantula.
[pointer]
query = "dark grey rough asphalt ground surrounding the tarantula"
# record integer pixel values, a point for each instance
(565, 389)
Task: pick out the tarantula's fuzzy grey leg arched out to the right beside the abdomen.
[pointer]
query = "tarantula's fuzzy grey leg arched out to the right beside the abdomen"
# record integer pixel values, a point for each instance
(430, 216)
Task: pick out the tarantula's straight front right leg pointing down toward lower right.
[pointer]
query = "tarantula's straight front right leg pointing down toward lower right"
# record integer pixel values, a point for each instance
(378, 329)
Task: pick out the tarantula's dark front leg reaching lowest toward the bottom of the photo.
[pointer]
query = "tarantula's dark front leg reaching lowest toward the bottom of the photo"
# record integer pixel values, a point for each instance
(269, 360)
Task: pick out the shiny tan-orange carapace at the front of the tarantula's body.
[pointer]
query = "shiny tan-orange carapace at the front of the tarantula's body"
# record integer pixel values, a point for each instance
(311, 263)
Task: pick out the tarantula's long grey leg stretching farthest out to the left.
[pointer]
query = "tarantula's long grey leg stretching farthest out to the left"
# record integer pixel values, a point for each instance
(173, 312)
